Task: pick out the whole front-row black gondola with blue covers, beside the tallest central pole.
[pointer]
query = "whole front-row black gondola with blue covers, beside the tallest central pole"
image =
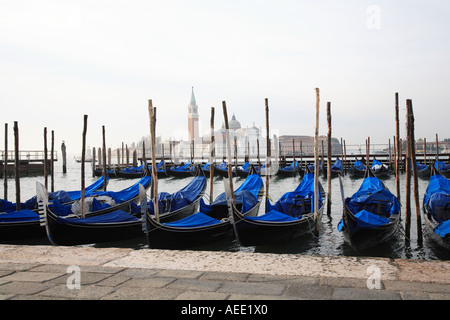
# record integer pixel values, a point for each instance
(291, 217)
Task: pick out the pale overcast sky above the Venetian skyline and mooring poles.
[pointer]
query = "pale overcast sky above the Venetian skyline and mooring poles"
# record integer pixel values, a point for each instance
(62, 59)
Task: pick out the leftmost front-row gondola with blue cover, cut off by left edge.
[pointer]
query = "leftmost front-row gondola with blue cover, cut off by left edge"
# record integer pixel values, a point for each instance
(25, 222)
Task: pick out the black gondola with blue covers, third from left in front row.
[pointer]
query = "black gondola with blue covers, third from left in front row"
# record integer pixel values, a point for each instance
(209, 224)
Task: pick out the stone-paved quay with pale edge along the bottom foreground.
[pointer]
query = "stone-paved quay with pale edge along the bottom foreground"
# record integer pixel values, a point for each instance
(87, 273)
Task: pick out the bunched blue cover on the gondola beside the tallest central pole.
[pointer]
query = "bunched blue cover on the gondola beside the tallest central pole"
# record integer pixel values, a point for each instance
(290, 203)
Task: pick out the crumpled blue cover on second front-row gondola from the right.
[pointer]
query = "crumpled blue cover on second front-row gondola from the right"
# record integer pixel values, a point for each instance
(371, 192)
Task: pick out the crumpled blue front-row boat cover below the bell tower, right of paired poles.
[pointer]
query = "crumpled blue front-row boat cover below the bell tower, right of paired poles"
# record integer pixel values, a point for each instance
(177, 200)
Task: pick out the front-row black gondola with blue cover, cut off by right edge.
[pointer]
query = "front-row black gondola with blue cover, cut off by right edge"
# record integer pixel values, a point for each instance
(436, 209)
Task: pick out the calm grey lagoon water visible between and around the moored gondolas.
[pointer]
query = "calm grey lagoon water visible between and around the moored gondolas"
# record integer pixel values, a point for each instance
(329, 242)
